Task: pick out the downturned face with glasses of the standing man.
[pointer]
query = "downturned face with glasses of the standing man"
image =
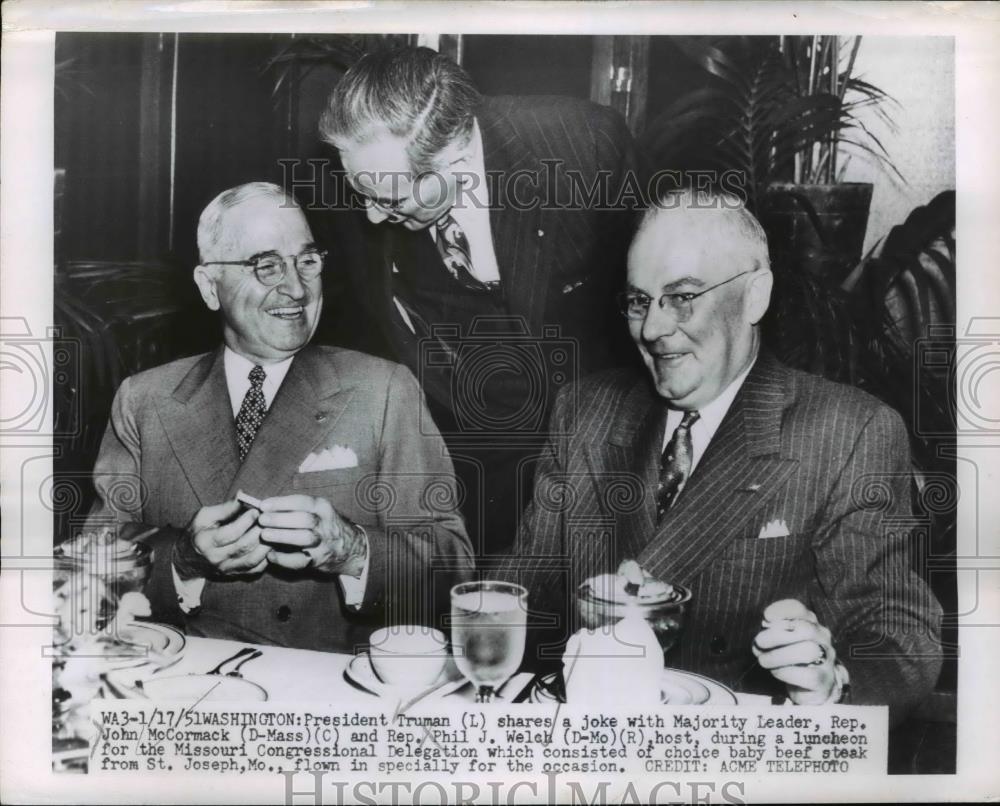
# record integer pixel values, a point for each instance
(380, 171)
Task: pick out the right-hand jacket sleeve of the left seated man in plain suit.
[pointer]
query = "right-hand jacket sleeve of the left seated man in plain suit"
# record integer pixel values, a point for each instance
(418, 547)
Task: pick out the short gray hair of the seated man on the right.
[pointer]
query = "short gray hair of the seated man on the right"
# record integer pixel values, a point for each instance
(717, 212)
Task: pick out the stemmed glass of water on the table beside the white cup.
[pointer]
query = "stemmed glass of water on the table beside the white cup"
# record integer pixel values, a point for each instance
(488, 627)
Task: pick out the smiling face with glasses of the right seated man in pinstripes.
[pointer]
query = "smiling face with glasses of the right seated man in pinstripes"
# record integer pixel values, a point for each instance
(687, 251)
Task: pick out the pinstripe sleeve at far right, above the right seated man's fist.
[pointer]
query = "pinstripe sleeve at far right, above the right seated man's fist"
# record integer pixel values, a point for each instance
(884, 619)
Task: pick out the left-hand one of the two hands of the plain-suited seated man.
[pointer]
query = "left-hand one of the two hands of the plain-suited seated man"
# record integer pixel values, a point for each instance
(217, 542)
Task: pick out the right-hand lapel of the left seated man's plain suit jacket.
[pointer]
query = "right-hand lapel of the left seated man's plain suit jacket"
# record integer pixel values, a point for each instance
(302, 413)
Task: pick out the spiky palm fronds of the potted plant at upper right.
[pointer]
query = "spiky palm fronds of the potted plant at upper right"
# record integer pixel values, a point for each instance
(772, 108)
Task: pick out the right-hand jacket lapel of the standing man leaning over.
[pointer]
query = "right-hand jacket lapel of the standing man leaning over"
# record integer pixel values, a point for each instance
(521, 226)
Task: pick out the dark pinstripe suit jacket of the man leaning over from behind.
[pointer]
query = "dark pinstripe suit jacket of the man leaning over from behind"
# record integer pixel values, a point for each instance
(532, 146)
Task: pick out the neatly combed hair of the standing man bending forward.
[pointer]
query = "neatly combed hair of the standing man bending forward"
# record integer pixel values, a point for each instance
(415, 94)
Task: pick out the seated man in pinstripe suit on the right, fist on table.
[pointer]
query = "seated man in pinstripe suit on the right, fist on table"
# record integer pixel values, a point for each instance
(777, 497)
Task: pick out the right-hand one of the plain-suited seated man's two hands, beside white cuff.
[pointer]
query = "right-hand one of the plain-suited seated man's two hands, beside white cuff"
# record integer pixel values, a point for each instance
(310, 534)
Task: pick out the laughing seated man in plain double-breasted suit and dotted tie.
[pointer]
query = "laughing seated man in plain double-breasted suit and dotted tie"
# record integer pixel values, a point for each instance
(359, 502)
